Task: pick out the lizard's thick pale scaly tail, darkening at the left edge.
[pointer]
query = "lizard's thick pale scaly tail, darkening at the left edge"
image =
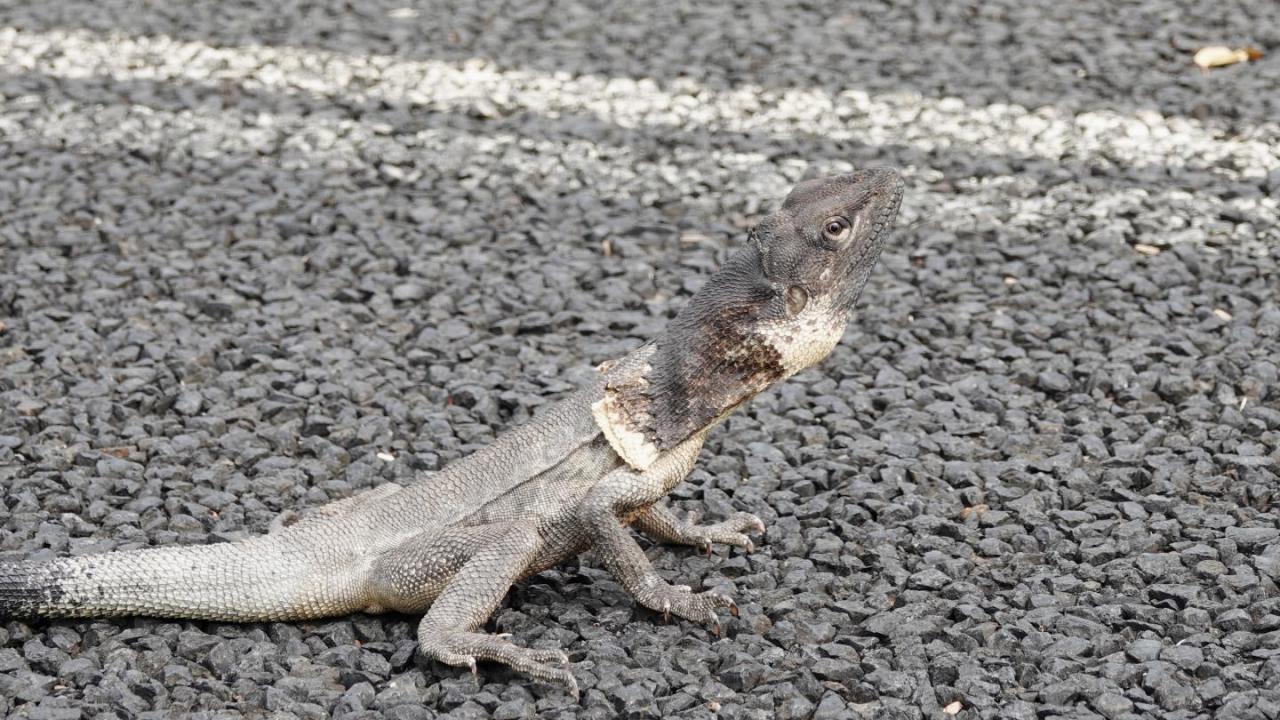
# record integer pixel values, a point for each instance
(252, 581)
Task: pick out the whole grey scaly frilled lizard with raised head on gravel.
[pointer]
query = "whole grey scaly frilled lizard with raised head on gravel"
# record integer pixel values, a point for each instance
(574, 479)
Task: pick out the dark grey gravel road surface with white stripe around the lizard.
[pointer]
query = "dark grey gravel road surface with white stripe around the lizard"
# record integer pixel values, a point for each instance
(259, 257)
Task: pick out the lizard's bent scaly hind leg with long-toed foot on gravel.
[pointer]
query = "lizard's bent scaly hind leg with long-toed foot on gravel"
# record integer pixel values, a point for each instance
(495, 560)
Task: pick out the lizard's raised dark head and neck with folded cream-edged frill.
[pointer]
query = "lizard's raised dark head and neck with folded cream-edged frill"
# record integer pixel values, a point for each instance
(776, 308)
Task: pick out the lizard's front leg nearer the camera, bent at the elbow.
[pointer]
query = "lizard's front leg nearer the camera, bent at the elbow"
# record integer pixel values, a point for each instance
(620, 493)
